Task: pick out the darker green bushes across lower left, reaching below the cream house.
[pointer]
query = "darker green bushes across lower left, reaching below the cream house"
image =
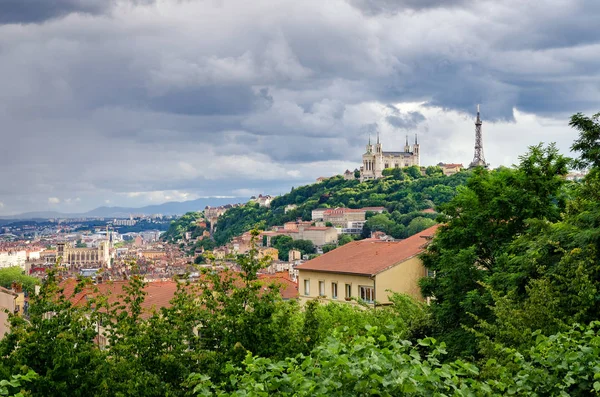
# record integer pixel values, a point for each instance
(212, 323)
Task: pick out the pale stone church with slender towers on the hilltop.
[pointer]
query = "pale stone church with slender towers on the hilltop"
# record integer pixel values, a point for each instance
(375, 160)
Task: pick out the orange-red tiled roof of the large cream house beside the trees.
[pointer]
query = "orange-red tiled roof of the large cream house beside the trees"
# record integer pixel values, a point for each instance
(369, 257)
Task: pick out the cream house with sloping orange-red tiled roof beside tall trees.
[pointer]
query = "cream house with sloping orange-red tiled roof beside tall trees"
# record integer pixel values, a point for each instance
(366, 269)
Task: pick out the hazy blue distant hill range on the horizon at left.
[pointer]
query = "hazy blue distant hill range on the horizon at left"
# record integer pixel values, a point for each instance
(169, 208)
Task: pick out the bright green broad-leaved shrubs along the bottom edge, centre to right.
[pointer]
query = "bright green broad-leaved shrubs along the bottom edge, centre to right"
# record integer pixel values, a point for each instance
(565, 364)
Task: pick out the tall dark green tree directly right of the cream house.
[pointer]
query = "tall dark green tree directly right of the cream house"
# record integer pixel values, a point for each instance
(480, 223)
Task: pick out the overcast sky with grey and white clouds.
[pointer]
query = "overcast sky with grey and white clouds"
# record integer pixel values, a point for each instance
(123, 102)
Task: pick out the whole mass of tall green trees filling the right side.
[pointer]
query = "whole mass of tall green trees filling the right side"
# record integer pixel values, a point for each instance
(518, 252)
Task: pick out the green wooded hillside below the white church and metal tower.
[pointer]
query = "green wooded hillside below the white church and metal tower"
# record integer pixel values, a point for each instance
(402, 192)
